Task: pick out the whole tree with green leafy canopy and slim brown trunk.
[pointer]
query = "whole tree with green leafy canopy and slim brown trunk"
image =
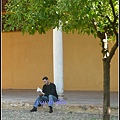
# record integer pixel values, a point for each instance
(96, 17)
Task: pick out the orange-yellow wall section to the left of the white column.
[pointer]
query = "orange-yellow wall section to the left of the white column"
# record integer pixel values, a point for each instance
(25, 60)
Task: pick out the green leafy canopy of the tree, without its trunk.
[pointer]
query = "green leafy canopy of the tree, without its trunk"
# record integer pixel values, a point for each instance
(46, 14)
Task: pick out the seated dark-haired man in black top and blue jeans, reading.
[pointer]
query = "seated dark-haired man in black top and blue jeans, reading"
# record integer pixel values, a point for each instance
(48, 94)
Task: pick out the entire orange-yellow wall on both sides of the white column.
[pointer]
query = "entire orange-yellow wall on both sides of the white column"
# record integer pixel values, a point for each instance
(26, 59)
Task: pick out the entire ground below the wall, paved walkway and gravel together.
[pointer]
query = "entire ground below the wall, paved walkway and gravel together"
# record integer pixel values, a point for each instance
(77, 105)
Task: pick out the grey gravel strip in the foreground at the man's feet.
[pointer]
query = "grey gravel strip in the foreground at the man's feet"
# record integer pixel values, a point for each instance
(16, 113)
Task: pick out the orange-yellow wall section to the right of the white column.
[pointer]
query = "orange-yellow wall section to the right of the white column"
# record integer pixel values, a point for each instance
(83, 67)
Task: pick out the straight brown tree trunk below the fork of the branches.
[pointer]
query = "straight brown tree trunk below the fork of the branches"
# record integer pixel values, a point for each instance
(106, 90)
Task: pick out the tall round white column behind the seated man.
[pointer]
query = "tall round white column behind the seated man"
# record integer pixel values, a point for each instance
(58, 60)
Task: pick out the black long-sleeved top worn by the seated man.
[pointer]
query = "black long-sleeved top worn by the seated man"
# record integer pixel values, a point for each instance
(50, 90)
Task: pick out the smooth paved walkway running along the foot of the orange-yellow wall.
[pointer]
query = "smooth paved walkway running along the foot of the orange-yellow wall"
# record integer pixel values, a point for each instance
(71, 97)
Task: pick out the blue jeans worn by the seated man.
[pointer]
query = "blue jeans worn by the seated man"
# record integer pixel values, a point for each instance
(44, 99)
